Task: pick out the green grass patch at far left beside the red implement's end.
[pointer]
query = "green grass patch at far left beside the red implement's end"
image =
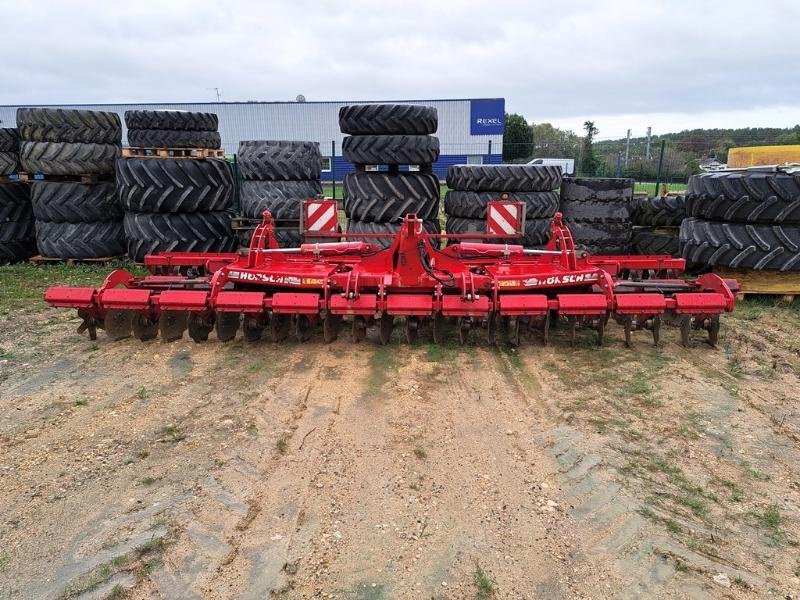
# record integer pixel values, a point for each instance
(23, 284)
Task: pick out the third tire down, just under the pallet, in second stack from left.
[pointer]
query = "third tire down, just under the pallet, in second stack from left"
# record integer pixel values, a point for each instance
(67, 202)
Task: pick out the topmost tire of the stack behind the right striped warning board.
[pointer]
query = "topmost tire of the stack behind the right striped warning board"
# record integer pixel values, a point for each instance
(503, 178)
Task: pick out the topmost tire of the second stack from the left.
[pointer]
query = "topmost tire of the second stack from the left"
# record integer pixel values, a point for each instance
(69, 125)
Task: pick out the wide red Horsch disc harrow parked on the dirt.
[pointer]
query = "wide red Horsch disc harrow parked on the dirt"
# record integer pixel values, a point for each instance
(501, 288)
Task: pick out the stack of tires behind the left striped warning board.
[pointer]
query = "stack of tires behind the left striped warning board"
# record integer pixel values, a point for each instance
(279, 176)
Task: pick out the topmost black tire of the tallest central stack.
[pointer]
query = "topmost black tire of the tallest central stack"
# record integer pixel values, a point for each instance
(391, 119)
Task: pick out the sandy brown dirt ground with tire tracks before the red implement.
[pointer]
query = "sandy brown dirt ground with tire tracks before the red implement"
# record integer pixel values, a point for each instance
(354, 471)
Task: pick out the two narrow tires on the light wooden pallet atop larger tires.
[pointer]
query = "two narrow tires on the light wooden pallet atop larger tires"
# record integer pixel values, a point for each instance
(172, 129)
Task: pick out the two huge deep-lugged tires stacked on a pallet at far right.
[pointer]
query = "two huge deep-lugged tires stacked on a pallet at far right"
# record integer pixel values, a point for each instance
(743, 220)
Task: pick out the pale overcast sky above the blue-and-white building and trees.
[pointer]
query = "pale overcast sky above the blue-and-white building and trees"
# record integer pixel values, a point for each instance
(622, 63)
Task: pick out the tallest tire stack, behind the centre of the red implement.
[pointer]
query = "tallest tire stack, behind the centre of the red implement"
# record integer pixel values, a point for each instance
(390, 135)
